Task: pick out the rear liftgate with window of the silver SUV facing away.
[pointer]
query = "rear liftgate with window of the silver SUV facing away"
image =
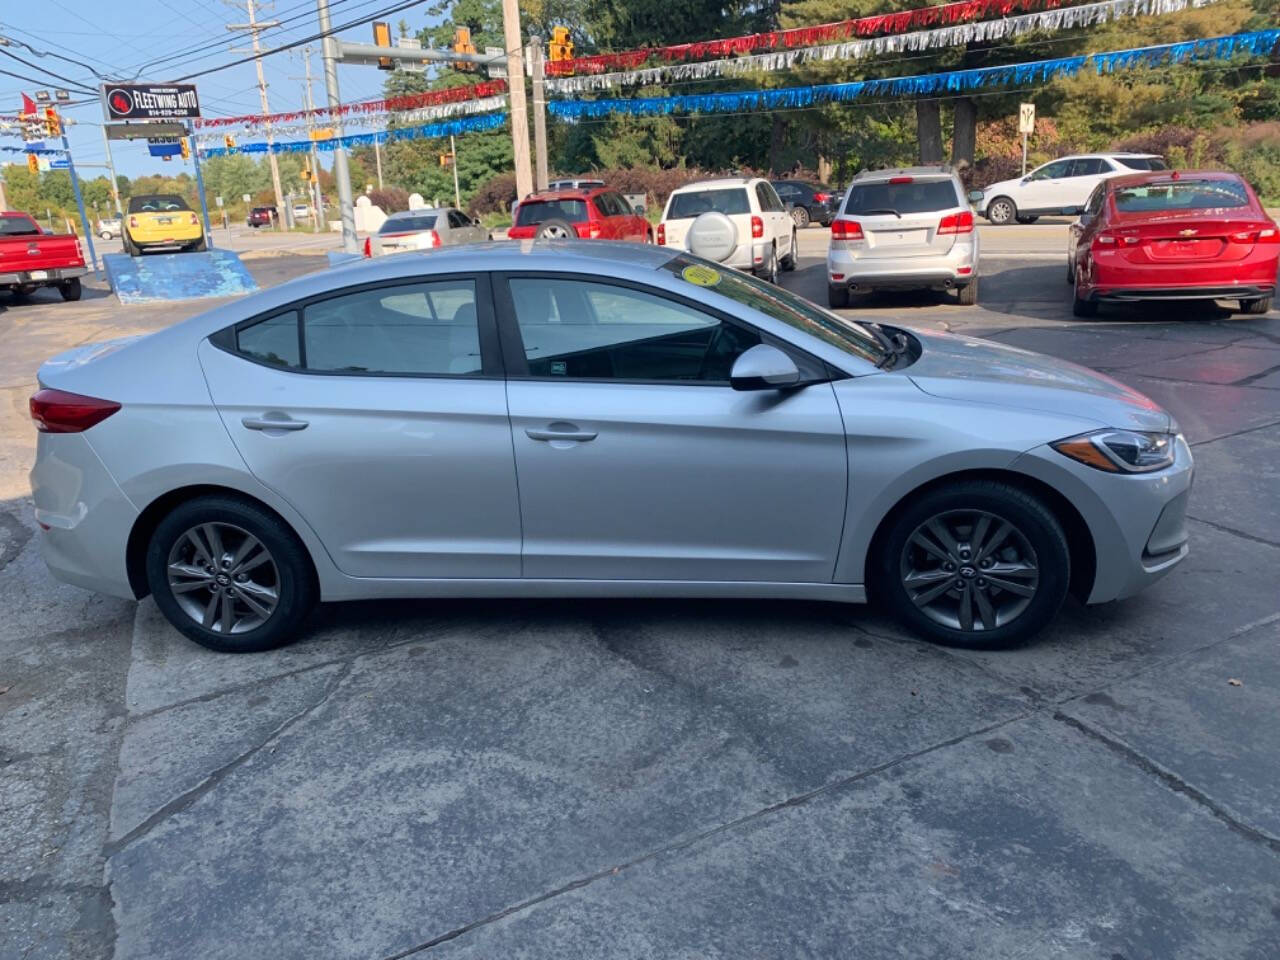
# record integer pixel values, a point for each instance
(902, 217)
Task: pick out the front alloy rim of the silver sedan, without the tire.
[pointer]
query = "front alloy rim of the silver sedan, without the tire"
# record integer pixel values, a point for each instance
(970, 570)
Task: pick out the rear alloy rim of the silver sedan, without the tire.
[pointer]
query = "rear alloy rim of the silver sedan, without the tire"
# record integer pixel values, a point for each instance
(223, 578)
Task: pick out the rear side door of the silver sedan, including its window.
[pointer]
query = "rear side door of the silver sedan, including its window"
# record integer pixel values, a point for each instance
(381, 415)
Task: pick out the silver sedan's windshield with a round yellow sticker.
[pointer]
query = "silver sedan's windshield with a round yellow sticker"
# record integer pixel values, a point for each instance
(781, 305)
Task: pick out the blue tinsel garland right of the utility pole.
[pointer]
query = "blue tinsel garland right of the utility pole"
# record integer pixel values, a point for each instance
(926, 85)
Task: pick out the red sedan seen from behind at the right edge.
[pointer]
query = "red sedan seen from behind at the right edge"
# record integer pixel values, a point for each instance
(1174, 236)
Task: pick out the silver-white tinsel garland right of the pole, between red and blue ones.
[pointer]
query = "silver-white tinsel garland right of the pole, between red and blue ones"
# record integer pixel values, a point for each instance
(985, 31)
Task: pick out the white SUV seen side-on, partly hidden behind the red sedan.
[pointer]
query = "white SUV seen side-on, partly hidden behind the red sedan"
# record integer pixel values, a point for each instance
(1060, 186)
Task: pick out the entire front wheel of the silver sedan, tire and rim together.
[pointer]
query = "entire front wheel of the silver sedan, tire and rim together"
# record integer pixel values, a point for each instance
(979, 564)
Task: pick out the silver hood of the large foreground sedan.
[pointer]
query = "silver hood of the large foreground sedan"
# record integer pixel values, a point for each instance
(982, 372)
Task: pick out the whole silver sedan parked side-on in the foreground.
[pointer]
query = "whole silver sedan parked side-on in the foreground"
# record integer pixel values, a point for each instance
(592, 420)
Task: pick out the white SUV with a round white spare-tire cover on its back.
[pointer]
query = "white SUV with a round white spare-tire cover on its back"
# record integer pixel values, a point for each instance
(738, 222)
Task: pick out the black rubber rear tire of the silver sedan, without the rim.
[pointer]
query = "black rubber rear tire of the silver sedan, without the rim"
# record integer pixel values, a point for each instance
(294, 575)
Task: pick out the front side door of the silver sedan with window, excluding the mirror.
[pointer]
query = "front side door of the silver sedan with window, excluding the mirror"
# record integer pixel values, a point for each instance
(637, 459)
